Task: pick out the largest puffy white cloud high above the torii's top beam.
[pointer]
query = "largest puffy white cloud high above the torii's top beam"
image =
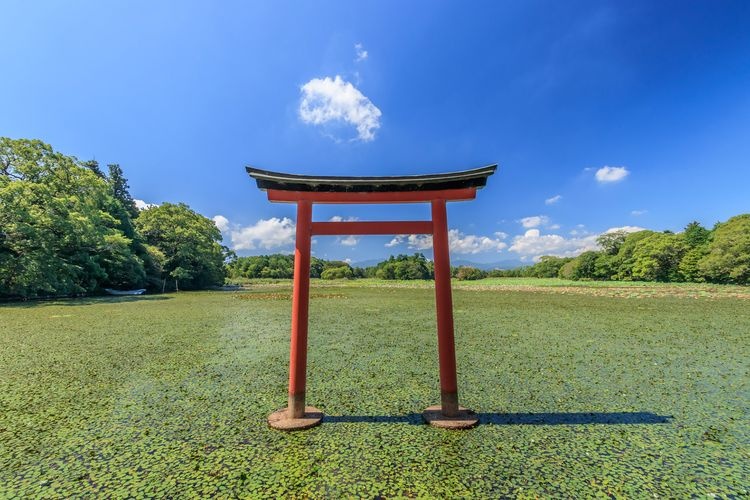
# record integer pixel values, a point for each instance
(333, 100)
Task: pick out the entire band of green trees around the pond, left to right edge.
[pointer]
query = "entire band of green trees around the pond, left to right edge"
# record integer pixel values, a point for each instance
(68, 227)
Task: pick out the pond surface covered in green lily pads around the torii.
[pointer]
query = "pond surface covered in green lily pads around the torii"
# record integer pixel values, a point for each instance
(578, 393)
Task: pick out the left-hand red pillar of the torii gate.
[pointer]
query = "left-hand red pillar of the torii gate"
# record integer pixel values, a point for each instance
(300, 307)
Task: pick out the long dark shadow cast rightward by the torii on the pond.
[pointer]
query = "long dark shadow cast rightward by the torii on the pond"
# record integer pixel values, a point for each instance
(551, 418)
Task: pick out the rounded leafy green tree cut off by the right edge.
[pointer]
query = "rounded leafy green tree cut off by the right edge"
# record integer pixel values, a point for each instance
(728, 258)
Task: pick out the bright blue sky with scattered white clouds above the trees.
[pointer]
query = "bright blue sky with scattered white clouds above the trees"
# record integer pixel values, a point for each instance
(600, 114)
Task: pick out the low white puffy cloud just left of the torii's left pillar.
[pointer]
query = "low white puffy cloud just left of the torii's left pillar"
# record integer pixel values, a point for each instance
(266, 233)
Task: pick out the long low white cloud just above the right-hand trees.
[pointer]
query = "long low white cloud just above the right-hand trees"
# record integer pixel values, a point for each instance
(532, 244)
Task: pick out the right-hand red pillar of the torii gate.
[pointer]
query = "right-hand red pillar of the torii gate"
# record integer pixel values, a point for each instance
(444, 309)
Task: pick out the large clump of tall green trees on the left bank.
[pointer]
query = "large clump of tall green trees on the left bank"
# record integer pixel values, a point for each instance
(68, 228)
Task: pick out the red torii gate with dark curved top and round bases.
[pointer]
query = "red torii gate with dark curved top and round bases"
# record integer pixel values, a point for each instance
(437, 189)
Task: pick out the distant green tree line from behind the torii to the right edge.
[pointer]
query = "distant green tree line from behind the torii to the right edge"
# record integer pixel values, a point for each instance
(699, 255)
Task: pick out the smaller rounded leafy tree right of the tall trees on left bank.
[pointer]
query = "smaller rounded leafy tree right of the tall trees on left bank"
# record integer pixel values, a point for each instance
(189, 241)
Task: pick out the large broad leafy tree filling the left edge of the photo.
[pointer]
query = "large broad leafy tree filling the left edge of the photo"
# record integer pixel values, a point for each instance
(59, 235)
